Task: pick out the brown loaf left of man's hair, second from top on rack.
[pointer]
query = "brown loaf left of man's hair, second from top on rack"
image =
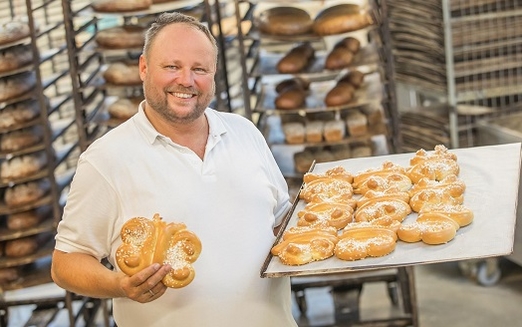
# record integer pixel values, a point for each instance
(121, 37)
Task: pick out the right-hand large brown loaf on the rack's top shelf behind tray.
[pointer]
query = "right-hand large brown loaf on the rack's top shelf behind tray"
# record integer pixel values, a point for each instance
(339, 19)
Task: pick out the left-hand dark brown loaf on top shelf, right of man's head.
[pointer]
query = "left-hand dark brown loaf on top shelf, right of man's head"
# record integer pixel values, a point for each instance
(285, 21)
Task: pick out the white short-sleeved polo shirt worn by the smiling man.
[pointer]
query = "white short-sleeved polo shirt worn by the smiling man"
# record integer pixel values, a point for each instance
(231, 200)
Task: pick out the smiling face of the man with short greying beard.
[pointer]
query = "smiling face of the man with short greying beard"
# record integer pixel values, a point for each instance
(178, 74)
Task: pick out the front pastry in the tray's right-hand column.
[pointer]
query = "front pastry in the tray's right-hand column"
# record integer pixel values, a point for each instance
(430, 228)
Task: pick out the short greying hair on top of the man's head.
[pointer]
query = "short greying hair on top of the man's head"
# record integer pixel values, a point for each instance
(169, 18)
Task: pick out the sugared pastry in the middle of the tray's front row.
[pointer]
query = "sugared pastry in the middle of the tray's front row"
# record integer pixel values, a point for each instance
(359, 243)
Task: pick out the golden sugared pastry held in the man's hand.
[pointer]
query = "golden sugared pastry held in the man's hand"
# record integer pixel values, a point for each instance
(147, 241)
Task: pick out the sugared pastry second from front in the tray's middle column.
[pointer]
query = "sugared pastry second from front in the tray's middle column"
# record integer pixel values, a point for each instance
(376, 208)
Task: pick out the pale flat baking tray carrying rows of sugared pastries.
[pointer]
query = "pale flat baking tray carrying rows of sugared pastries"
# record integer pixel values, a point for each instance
(491, 174)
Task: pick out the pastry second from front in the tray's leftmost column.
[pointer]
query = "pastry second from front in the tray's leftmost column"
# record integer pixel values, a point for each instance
(325, 213)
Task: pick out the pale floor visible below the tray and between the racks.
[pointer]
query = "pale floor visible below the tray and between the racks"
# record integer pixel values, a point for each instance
(445, 297)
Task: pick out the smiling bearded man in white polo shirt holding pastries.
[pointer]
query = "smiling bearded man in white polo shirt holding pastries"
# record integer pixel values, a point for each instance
(176, 157)
